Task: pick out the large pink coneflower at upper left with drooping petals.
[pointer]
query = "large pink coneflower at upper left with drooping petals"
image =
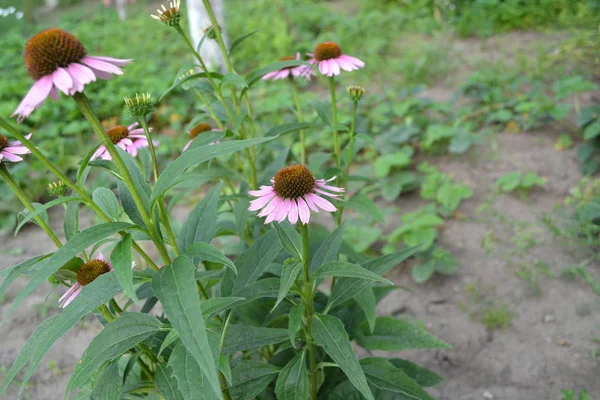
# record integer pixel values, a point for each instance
(57, 60)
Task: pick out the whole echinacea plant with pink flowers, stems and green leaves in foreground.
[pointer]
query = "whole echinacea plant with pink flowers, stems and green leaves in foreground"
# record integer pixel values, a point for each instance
(225, 304)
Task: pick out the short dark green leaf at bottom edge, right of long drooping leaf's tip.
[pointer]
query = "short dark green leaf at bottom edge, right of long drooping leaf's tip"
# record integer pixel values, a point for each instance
(251, 378)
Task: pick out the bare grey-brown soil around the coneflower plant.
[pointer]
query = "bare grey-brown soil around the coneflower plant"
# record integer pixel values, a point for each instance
(548, 345)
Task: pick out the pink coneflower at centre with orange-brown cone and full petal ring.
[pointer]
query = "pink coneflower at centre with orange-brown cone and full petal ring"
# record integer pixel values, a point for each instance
(294, 193)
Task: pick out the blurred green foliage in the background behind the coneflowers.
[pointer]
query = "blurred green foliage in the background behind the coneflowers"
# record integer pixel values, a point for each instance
(405, 44)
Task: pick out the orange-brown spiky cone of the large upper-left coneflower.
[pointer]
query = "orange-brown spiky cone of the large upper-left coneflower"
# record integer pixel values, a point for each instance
(51, 49)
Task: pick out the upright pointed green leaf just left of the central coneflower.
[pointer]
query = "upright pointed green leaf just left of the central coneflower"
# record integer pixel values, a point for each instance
(201, 224)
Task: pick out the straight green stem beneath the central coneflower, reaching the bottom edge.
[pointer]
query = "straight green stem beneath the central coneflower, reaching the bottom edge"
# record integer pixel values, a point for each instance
(308, 314)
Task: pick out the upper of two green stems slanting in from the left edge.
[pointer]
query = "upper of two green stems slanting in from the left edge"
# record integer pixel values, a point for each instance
(84, 195)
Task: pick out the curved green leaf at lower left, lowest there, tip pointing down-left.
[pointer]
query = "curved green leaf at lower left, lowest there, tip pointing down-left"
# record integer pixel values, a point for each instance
(115, 339)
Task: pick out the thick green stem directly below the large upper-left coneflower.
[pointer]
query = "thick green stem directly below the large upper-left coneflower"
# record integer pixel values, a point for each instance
(88, 112)
